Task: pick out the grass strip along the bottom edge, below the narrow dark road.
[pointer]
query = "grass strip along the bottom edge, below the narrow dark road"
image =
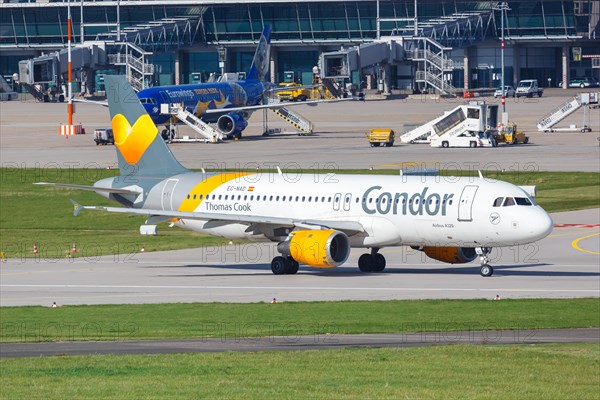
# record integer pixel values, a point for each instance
(567, 371)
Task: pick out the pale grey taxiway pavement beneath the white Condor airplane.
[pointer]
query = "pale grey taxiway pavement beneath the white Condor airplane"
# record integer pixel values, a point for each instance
(565, 264)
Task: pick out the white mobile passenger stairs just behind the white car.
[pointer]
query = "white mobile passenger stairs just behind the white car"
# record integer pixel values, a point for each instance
(474, 117)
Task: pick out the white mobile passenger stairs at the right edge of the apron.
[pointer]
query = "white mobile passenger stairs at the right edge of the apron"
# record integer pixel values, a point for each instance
(585, 100)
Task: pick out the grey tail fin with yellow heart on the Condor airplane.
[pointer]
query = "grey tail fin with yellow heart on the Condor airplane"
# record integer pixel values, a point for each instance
(140, 149)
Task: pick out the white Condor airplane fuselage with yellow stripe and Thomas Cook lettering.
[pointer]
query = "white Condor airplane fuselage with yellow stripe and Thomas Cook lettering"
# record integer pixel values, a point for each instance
(394, 210)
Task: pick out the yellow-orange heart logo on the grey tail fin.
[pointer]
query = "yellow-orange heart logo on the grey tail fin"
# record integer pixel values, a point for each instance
(134, 140)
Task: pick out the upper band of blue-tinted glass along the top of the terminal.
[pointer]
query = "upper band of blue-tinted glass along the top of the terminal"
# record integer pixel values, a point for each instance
(29, 24)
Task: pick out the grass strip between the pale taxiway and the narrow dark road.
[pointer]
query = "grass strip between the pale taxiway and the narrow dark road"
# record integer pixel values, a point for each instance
(208, 320)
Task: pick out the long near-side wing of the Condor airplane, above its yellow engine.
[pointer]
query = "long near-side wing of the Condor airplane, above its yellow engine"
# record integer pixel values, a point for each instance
(348, 227)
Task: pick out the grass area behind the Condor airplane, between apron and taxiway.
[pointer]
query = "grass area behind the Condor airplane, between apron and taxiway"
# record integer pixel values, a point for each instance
(33, 214)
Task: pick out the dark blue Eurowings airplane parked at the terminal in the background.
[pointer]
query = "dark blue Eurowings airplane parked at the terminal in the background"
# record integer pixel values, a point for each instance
(228, 104)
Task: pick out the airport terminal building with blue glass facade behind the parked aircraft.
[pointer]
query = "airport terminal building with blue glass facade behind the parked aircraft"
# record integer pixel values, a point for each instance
(452, 43)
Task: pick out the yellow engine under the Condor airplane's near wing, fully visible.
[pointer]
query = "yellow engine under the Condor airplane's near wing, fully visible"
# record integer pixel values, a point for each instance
(320, 249)
